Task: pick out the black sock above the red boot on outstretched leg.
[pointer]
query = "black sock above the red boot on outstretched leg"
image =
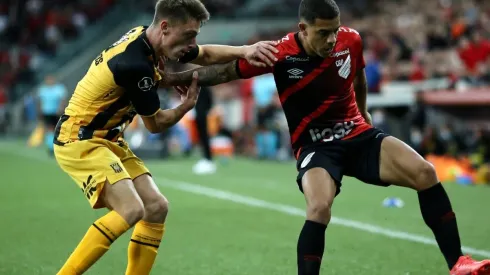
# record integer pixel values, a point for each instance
(439, 216)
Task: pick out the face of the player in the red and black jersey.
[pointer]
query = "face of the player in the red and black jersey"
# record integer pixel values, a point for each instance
(321, 36)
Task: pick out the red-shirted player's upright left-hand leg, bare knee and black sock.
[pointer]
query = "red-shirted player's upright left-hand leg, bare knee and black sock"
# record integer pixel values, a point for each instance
(319, 190)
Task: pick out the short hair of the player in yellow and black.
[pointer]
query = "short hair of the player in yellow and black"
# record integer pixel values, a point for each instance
(180, 10)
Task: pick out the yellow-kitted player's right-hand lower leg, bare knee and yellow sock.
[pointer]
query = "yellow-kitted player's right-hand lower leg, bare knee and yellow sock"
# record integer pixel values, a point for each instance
(148, 232)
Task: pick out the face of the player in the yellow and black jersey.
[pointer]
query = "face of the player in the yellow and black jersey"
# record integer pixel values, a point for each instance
(179, 38)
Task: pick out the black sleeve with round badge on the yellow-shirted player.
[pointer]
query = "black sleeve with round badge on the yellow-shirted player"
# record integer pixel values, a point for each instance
(141, 89)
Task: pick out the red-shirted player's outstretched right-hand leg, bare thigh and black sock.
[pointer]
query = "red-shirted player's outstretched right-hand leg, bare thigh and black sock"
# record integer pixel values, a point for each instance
(401, 165)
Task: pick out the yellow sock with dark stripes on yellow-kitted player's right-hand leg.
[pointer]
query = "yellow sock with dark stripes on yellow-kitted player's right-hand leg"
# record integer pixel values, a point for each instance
(143, 247)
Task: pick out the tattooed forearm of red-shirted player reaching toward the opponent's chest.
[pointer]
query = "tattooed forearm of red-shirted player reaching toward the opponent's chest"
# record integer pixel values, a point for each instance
(208, 75)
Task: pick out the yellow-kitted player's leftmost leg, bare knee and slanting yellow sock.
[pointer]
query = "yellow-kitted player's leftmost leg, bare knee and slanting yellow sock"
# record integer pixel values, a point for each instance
(127, 208)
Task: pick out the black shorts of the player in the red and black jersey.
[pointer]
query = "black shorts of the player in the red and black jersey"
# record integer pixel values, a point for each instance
(356, 157)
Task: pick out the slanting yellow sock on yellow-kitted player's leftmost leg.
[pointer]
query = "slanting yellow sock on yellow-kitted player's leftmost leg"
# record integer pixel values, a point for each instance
(95, 243)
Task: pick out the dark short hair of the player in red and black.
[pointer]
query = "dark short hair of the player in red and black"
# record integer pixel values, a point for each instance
(310, 10)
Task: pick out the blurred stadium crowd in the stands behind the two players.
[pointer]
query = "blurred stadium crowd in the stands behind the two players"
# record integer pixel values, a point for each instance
(404, 41)
